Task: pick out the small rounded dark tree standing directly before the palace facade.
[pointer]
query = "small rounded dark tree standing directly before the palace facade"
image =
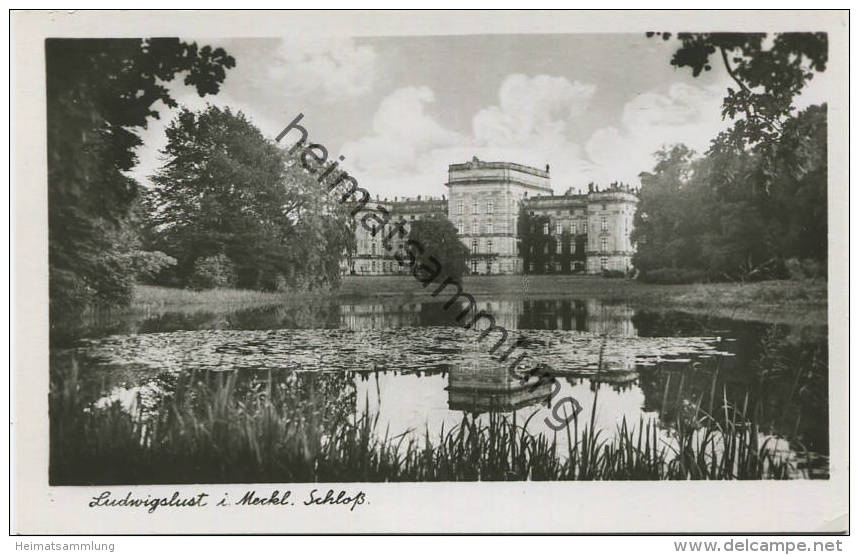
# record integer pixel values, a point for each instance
(438, 239)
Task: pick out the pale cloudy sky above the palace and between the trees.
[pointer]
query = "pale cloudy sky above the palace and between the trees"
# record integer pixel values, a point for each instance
(595, 107)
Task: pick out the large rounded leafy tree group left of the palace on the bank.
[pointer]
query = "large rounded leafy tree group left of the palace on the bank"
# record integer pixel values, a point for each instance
(226, 191)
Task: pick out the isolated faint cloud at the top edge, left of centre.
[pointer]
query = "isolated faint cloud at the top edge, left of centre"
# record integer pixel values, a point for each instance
(337, 69)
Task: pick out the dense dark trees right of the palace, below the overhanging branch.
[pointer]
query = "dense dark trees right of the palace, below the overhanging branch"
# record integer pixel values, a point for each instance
(719, 215)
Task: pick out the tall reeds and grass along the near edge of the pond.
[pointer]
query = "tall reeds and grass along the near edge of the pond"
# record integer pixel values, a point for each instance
(208, 432)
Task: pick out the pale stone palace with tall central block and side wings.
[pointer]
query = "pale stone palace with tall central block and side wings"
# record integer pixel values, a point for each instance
(499, 209)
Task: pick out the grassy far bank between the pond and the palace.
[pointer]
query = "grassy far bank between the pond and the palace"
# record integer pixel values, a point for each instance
(783, 302)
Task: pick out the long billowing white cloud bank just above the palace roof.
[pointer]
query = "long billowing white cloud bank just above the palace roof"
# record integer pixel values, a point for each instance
(534, 123)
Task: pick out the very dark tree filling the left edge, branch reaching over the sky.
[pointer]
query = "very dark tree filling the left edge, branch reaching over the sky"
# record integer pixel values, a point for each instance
(98, 92)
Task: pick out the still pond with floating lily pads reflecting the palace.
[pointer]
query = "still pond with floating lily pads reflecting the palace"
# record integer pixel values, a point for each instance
(409, 365)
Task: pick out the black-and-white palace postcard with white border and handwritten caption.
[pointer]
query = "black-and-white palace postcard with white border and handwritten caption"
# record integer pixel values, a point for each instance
(389, 258)
